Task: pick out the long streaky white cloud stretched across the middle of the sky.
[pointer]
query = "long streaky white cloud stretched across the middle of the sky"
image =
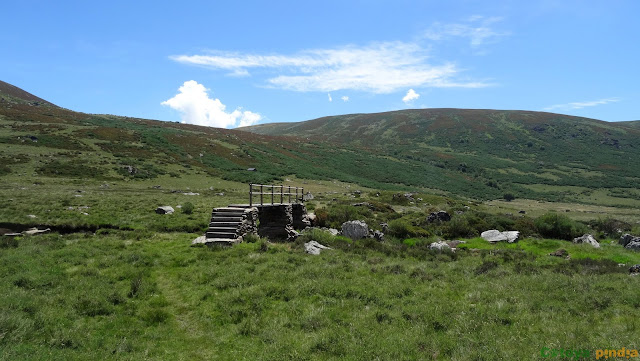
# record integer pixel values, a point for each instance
(377, 68)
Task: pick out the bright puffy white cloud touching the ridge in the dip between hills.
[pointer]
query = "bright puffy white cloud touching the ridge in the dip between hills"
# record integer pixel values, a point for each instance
(197, 108)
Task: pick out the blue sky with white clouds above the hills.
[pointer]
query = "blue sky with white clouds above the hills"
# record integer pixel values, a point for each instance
(247, 62)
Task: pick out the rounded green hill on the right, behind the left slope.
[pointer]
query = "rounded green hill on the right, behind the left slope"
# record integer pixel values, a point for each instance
(484, 153)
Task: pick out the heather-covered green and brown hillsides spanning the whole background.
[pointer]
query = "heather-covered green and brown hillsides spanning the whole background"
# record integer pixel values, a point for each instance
(479, 154)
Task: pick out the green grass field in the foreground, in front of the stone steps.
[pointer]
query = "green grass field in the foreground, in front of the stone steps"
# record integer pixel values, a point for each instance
(147, 295)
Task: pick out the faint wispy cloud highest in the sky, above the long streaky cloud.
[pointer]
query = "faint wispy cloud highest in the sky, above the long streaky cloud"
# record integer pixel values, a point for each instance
(477, 28)
